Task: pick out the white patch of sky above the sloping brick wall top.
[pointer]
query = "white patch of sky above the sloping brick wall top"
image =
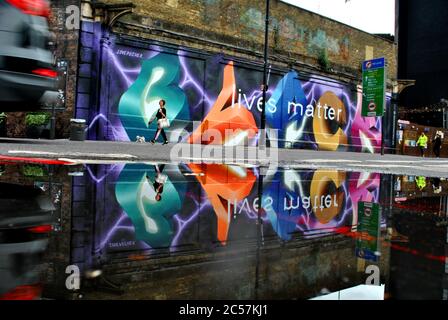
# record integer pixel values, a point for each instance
(373, 16)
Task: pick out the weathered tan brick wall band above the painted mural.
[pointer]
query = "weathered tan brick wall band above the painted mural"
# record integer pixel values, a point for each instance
(295, 34)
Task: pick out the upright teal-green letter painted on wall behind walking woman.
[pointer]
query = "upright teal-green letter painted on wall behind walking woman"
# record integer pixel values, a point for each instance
(158, 79)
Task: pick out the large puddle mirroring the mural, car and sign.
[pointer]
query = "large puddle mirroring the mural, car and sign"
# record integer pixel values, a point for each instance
(198, 231)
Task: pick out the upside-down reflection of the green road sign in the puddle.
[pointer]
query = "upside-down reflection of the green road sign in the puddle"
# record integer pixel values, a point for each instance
(368, 240)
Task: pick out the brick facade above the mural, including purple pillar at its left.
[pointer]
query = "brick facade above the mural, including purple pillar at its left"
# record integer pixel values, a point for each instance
(299, 40)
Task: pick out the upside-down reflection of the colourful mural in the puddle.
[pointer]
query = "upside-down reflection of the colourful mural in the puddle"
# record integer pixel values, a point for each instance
(217, 203)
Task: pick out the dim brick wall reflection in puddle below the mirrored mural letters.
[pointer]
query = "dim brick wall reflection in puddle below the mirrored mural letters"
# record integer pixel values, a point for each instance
(297, 270)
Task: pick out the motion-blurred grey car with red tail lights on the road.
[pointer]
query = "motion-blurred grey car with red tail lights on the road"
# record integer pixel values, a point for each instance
(26, 61)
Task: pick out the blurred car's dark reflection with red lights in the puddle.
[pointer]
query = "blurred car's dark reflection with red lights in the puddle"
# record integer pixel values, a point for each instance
(25, 221)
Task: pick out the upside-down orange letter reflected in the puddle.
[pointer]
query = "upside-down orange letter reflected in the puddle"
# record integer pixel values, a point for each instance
(224, 187)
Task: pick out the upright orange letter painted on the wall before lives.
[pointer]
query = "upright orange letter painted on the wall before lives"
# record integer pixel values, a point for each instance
(226, 114)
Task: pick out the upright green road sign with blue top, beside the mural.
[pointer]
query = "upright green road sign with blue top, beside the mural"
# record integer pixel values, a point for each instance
(373, 87)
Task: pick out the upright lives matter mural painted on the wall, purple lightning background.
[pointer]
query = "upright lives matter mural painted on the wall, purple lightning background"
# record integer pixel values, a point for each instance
(309, 112)
